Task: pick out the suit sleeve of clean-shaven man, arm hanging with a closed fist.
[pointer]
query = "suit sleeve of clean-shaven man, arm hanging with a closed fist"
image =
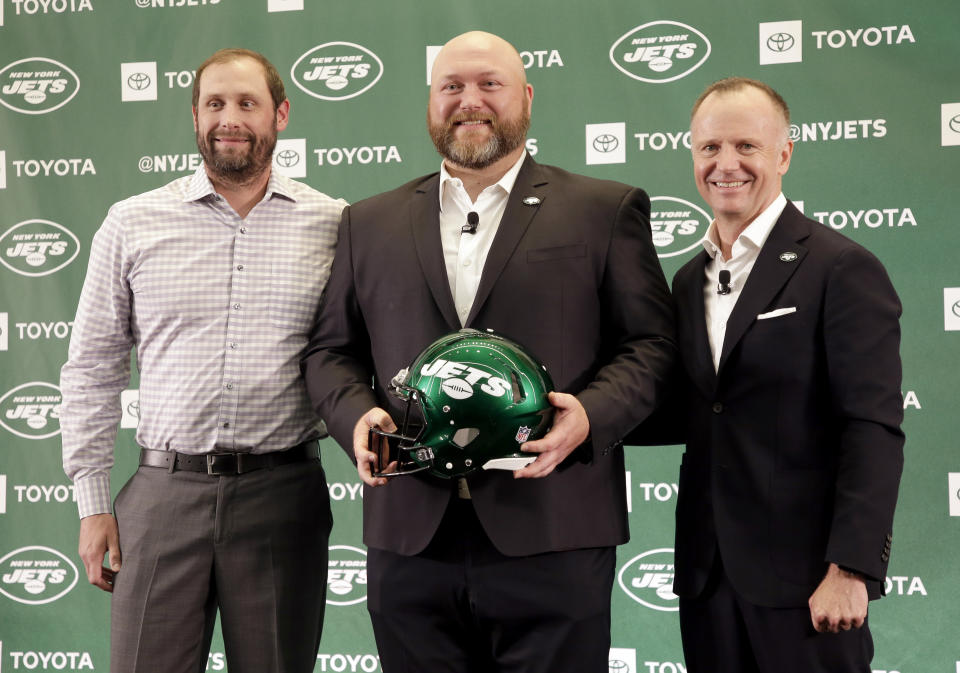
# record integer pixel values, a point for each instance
(862, 343)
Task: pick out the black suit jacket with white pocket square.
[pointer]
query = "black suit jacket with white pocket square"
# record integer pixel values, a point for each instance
(794, 448)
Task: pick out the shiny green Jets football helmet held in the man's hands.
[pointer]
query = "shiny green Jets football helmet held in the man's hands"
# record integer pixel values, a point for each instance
(471, 399)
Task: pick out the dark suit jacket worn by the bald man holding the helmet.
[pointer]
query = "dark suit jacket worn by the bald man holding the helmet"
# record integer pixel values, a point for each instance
(573, 277)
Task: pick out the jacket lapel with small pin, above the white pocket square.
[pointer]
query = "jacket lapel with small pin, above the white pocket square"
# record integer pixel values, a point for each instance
(779, 258)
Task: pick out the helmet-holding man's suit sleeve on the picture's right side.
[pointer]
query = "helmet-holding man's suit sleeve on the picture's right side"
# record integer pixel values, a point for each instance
(637, 328)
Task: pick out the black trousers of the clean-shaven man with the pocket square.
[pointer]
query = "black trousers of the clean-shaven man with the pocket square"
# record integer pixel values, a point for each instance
(724, 633)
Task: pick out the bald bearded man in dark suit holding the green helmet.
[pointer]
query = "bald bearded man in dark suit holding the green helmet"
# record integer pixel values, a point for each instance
(505, 571)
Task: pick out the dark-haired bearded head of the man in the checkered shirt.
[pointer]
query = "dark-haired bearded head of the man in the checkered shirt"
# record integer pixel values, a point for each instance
(235, 121)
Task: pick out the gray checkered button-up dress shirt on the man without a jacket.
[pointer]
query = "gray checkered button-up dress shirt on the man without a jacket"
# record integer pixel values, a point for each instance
(219, 310)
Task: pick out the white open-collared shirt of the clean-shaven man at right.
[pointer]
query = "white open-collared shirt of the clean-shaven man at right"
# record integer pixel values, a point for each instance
(743, 256)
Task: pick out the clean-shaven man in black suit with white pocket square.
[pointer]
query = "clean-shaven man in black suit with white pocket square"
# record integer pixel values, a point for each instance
(789, 336)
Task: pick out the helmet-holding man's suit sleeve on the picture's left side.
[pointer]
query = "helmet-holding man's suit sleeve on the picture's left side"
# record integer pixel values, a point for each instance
(337, 365)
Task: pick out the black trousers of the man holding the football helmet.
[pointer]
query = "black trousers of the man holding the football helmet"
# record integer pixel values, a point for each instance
(463, 607)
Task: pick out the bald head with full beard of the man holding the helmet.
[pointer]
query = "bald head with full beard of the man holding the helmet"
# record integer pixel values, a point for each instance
(479, 108)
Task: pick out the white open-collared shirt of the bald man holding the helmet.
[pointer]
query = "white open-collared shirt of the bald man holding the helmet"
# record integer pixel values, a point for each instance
(464, 253)
